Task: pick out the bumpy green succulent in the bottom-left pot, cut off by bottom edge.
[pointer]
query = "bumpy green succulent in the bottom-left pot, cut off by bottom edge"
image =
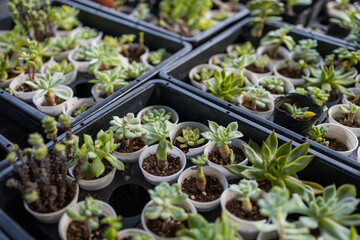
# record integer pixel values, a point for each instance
(90, 222)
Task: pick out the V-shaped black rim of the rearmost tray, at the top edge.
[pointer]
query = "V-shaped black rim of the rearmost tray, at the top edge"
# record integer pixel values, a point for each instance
(195, 40)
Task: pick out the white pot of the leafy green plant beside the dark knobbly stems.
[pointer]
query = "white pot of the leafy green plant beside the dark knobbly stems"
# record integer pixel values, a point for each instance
(96, 184)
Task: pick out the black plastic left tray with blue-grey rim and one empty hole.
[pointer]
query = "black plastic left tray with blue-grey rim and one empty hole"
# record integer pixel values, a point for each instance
(109, 25)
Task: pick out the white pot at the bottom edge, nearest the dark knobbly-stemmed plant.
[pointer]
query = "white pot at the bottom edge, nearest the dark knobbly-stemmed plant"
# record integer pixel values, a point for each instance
(65, 220)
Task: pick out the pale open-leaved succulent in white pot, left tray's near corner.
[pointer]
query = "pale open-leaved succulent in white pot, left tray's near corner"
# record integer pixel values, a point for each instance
(50, 97)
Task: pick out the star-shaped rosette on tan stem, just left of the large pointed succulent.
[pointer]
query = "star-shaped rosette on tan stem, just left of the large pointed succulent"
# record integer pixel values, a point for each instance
(223, 136)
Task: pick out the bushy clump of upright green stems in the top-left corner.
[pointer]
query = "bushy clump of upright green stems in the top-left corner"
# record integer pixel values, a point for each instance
(35, 17)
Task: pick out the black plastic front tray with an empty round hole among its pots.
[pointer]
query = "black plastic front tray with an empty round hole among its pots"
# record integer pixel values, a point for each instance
(131, 182)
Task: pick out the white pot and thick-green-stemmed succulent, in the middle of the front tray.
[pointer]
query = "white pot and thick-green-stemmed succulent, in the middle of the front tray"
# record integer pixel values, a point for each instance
(161, 162)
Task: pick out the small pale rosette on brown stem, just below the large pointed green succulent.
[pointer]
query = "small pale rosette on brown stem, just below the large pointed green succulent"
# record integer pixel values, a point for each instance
(246, 190)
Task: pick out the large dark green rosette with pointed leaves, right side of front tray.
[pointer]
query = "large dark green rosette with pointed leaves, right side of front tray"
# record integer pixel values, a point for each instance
(277, 165)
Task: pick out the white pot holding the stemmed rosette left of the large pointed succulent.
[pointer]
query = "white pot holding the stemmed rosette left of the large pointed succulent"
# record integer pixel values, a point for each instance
(212, 146)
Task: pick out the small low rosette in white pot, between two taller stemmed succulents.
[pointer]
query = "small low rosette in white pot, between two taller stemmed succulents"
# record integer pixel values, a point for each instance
(186, 136)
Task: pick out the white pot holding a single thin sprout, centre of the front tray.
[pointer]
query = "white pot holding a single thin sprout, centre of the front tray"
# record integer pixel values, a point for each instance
(208, 171)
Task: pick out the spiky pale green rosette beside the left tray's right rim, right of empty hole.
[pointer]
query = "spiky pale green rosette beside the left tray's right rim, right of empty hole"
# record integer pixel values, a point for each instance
(108, 80)
